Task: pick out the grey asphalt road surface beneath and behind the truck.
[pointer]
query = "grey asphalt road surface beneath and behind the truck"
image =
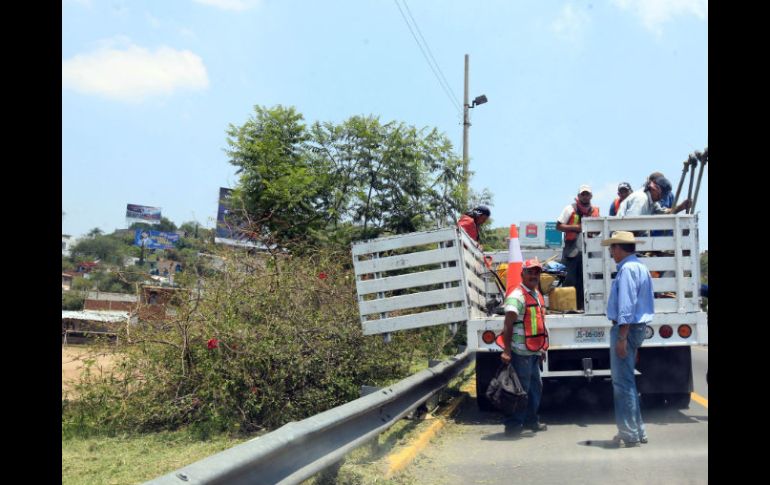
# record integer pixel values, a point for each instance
(576, 447)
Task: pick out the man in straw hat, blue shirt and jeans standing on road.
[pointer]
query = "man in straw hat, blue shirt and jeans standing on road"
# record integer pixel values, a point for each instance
(630, 307)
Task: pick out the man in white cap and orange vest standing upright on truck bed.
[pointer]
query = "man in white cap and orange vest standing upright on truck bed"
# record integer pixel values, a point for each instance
(569, 223)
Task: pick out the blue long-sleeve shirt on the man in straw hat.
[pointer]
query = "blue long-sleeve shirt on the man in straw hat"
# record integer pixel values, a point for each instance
(631, 298)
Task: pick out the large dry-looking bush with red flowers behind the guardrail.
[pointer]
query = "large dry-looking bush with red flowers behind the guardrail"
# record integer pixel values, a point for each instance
(269, 340)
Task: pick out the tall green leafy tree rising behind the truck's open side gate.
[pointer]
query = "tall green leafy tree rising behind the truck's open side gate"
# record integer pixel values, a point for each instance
(334, 182)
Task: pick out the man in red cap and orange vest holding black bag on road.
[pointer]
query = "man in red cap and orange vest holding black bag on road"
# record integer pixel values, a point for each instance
(525, 341)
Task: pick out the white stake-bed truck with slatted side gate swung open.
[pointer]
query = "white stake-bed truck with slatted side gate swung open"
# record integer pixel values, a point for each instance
(440, 277)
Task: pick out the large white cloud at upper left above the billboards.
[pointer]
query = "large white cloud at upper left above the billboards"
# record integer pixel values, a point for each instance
(132, 73)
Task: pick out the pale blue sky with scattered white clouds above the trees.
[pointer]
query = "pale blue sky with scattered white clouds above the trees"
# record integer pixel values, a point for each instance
(578, 92)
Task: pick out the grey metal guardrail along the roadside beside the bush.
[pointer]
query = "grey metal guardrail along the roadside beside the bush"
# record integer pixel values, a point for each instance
(299, 450)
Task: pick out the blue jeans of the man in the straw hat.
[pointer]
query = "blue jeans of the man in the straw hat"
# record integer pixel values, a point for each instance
(628, 415)
